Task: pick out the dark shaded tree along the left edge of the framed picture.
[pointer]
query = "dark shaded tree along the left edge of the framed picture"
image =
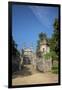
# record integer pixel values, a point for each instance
(15, 57)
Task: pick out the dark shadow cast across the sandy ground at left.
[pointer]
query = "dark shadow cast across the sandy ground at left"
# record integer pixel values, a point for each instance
(24, 72)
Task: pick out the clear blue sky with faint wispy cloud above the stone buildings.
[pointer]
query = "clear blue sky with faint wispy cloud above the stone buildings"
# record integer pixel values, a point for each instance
(29, 21)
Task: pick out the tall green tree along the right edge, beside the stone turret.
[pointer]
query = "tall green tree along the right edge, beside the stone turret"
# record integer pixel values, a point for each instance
(54, 41)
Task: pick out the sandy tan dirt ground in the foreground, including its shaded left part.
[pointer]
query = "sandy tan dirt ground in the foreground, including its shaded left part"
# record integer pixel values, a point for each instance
(27, 77)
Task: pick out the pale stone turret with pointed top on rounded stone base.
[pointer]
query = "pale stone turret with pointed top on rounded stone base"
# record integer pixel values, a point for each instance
(43, 64)
